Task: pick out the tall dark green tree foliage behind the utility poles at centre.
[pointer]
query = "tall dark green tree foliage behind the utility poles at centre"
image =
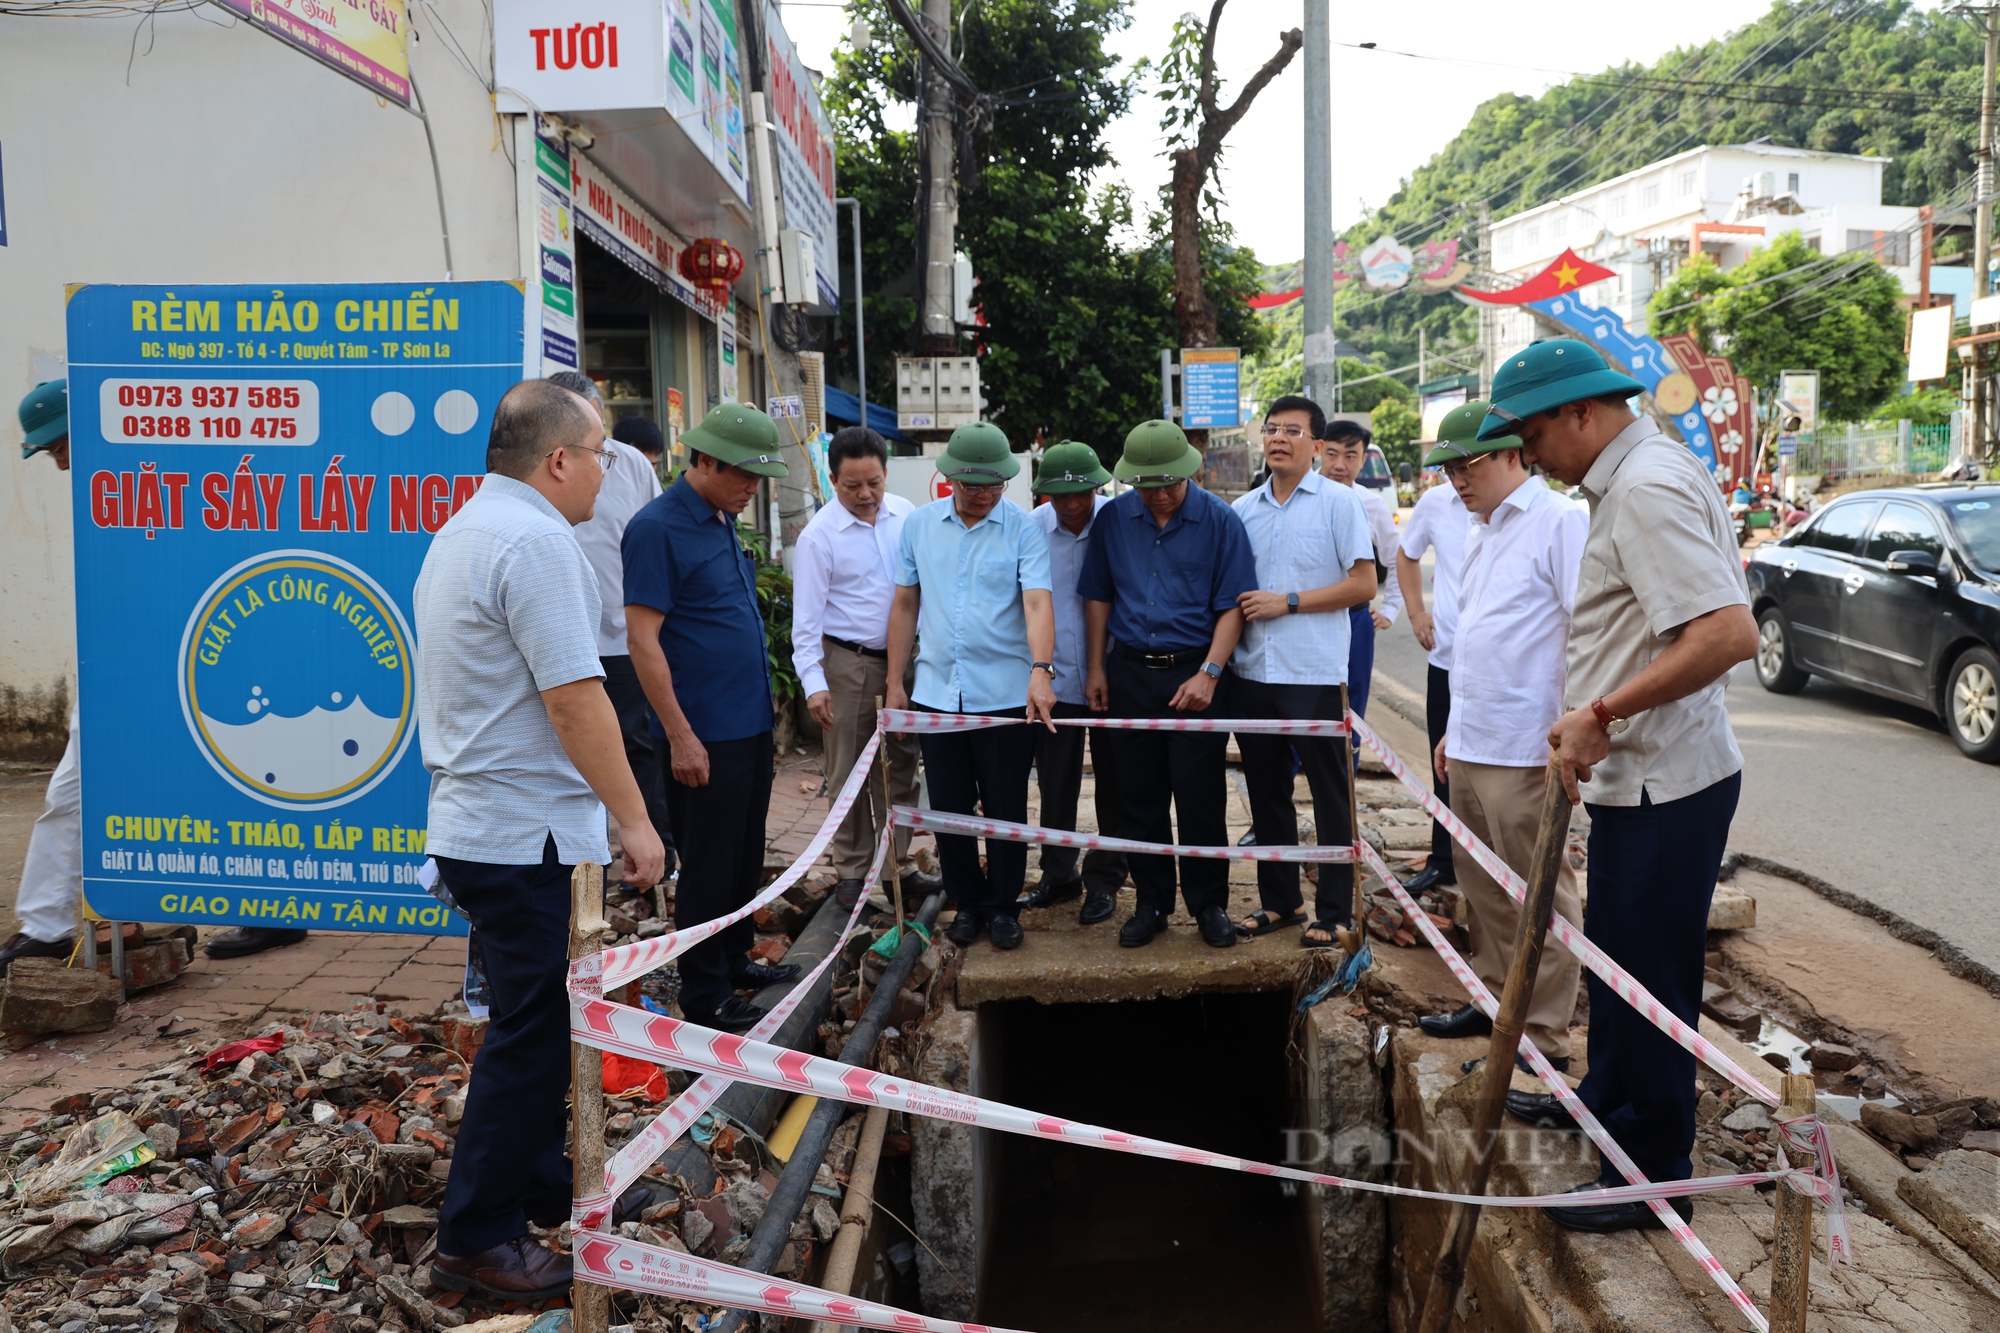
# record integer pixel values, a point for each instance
(1077, 291)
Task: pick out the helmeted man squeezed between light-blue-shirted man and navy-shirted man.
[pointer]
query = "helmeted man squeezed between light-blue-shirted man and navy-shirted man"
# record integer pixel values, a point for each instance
(1071, 475)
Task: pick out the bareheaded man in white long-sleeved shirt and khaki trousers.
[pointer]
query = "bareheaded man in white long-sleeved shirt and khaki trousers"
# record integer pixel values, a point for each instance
(843, 585)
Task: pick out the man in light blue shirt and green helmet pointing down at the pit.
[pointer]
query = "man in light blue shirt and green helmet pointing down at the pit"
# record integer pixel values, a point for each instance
(973, 595)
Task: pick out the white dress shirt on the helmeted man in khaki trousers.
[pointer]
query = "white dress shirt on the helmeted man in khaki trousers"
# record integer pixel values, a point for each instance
(1515, 597)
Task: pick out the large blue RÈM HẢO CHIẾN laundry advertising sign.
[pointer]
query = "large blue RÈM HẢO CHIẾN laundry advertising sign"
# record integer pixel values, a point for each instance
(257, 477)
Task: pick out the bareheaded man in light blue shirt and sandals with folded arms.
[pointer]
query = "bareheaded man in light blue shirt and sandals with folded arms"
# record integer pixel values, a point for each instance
(1315, 559)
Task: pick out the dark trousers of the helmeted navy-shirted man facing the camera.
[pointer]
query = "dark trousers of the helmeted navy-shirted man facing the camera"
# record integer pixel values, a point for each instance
(1181, 770)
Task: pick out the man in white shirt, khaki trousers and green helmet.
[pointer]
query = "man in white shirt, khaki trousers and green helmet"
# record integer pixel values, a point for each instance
(1515, 597)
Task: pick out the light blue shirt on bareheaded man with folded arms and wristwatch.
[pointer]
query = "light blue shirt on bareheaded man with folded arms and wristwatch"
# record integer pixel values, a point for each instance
(1307, 543)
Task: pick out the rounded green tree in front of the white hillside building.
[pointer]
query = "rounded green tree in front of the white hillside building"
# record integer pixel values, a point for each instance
(1791, 309)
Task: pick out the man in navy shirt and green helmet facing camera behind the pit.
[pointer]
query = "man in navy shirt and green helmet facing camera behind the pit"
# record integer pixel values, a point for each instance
(1161, 581)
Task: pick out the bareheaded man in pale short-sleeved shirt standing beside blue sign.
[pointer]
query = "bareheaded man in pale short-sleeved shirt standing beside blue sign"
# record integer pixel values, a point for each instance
(525, 756)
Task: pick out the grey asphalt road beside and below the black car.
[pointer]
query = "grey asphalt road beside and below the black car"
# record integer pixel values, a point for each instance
(1865, 794)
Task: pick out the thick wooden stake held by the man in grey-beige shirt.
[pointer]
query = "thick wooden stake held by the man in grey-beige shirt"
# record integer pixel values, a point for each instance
(1551, 848)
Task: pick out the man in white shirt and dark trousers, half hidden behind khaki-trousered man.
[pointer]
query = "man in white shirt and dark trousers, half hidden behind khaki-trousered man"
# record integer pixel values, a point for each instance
(1439, 523)
